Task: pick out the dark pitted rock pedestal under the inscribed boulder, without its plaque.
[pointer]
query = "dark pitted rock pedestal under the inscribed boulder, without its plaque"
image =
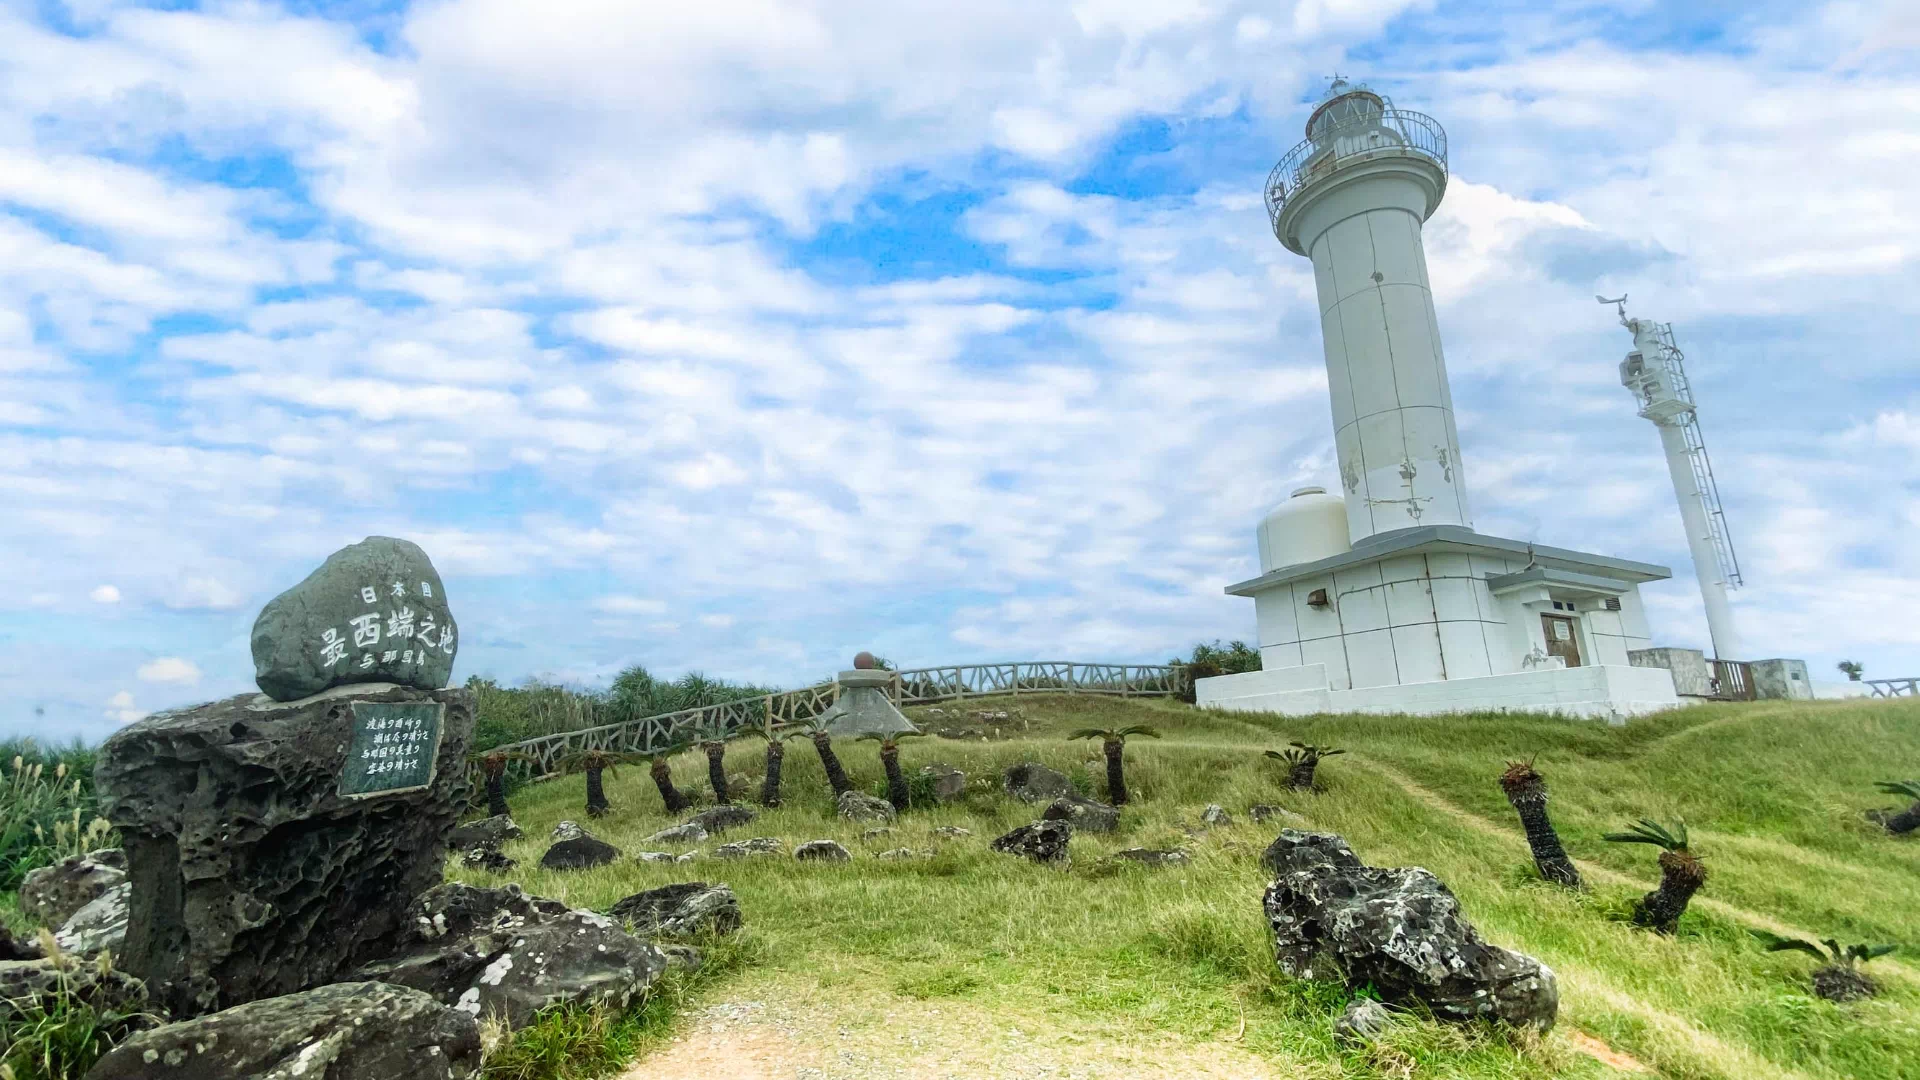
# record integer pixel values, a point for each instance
(252, 873)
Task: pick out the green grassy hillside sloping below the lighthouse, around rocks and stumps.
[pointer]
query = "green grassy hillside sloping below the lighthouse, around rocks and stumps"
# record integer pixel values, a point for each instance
(978, 958)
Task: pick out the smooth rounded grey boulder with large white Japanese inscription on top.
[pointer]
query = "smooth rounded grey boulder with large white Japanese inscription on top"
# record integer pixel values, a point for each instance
(375, 612)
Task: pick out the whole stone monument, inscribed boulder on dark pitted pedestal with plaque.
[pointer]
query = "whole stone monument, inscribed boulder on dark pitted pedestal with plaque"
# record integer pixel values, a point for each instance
(276, 841)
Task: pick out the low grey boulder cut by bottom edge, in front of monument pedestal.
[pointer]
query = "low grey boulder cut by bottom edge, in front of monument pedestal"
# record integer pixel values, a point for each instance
(350, 1031)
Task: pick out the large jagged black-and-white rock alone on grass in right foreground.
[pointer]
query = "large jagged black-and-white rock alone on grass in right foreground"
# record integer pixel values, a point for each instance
(1399, 931)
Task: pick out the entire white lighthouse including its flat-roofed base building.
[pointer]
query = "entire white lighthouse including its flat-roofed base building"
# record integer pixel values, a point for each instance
(1383, 599)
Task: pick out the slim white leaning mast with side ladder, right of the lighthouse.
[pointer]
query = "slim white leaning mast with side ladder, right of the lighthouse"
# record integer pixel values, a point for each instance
(1656, 374)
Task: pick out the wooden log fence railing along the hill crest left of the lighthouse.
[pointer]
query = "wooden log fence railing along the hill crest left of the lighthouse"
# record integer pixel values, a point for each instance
(919, 687)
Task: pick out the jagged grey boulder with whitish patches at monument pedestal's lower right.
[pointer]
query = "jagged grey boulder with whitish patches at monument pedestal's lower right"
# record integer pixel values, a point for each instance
(508, 954)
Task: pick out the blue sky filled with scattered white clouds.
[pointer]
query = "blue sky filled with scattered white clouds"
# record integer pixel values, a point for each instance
(746, 335)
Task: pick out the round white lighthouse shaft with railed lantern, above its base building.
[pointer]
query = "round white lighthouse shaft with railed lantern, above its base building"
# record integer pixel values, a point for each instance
(1366, 184)
